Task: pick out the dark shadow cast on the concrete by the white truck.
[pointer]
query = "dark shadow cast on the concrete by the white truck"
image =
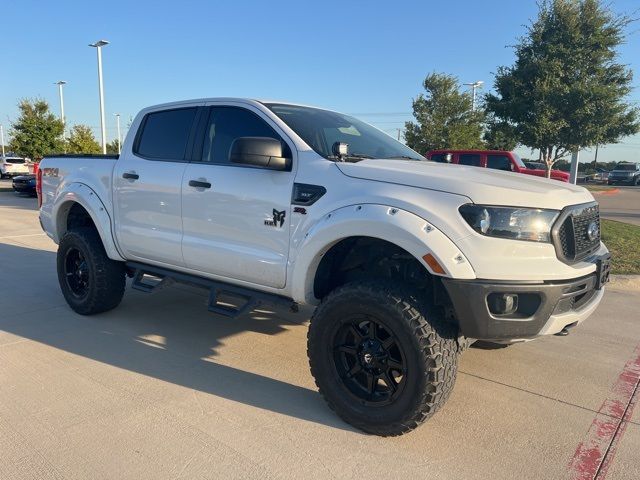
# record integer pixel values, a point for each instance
(168, 336)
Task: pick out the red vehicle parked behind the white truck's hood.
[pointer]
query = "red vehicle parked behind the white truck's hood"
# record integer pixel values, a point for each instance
(496, 159)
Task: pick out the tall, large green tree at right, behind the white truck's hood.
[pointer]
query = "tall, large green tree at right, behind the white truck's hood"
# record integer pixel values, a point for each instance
(566, 89)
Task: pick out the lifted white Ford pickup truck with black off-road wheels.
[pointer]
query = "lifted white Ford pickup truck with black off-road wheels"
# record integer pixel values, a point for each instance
(407, 260)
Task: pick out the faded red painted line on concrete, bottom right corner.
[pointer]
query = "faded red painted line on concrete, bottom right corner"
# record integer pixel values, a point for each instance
(595, 454)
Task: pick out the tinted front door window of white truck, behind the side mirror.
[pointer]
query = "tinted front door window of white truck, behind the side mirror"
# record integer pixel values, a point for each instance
(228, 123)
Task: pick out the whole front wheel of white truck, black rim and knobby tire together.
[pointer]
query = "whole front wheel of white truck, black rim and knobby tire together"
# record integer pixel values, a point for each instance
(384, 360)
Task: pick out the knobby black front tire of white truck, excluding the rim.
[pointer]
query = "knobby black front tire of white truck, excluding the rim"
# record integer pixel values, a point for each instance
(429, 342)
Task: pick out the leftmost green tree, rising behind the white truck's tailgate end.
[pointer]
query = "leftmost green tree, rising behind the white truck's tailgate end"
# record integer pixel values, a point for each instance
(36, 132)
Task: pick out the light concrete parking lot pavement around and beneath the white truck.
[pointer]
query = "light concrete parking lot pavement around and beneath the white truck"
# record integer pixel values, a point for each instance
(161, 389)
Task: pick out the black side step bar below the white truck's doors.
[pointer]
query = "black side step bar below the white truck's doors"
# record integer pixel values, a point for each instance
(150, 279)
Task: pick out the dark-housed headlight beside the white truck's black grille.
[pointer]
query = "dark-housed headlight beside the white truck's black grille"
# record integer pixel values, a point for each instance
(532, 224)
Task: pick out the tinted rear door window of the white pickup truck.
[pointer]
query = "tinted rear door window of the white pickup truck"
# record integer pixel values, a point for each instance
(165, 134)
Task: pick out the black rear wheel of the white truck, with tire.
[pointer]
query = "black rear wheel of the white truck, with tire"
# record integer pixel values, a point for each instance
(90, 281)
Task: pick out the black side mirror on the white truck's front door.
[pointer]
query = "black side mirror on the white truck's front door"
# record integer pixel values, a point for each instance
(259, 152)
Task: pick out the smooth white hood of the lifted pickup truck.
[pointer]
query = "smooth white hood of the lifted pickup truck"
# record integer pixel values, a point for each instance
(481, 185)
